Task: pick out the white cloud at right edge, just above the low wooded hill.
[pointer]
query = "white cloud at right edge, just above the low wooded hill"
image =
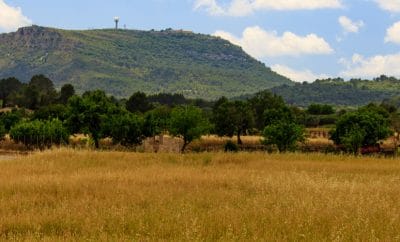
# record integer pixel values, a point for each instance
(374, 66)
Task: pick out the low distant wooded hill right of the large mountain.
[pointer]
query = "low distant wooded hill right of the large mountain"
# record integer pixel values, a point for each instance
(355, 92)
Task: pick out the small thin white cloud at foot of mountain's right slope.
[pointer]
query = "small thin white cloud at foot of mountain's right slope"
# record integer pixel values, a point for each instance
(298, 76)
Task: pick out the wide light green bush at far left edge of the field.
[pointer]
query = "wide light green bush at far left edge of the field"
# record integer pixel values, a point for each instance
(39, 134)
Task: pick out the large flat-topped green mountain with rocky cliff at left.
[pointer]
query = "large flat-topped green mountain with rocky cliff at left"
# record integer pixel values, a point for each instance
(124, 61)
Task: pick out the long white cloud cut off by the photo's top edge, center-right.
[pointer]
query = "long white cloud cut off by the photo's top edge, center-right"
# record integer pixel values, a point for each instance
(246, 7)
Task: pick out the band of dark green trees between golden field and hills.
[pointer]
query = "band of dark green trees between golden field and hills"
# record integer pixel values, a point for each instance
(47, 116)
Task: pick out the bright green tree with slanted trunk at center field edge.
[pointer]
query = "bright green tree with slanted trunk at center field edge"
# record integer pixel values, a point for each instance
(189, 123)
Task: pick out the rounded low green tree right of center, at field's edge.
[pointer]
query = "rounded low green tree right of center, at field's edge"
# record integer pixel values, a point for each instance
(284, 134)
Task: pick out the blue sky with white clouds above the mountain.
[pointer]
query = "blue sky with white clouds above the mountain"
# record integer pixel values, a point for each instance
(302, 39)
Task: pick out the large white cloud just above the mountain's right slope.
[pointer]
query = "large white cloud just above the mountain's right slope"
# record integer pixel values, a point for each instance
(260, 43)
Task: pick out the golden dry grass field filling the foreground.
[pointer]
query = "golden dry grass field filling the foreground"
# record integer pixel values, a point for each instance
(86, 195)
